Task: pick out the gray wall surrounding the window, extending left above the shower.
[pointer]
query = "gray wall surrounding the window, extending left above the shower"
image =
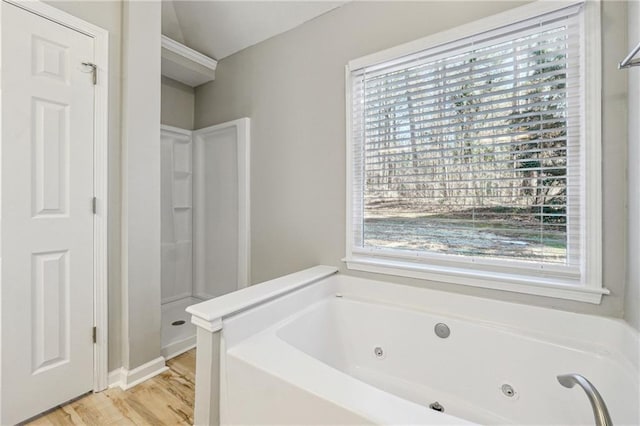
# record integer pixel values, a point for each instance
(292, 87)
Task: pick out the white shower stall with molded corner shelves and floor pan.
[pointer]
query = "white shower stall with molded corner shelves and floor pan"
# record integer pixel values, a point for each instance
(205, 222)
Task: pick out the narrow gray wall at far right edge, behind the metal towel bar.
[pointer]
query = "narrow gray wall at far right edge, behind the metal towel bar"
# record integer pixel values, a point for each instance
(632, 296)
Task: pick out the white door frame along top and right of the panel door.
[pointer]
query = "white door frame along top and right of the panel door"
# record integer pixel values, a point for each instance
(100, 173)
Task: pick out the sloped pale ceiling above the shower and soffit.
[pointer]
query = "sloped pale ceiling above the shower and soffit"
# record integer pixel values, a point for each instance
(222, 28)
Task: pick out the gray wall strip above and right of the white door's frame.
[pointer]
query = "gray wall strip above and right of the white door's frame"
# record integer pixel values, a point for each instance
(108, 15)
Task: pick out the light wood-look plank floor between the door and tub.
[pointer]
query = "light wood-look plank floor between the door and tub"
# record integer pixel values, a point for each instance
(167, 399)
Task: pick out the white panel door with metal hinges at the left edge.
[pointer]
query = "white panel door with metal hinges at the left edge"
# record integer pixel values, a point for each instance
(47, 218)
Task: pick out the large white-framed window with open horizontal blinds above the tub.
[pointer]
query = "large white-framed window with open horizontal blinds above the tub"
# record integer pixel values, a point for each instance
(474, 159)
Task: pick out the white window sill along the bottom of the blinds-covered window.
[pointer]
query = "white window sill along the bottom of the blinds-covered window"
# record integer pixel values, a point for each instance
(484, 279)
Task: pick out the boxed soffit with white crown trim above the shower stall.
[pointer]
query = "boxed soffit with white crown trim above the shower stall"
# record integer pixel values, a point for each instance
(186, 65)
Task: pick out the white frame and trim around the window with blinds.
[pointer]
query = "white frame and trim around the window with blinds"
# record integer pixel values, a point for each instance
(587, 285)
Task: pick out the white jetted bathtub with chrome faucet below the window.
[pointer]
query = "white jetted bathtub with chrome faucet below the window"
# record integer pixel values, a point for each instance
(308, 356)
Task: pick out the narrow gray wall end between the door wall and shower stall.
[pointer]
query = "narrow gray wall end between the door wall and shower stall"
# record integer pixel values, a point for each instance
(141, 183)
